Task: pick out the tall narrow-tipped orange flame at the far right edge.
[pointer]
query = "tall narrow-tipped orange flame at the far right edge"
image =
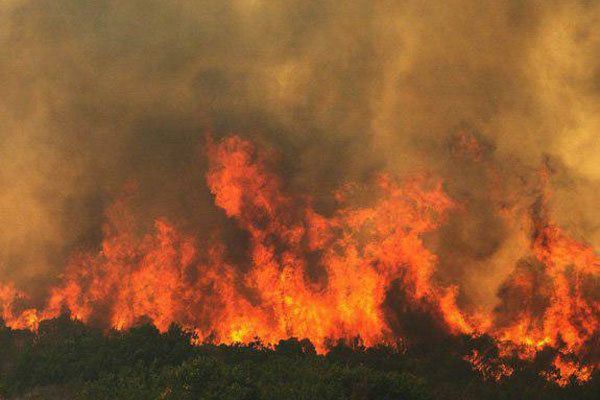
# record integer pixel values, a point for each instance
(566, 278)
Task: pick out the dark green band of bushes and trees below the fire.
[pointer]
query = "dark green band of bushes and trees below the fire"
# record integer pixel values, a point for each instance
(66, 359)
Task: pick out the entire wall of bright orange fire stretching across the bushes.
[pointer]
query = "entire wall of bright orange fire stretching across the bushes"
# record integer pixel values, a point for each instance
(321, 277)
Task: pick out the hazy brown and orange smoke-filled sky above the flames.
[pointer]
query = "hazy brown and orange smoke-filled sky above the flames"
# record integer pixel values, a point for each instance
(98, 94)
